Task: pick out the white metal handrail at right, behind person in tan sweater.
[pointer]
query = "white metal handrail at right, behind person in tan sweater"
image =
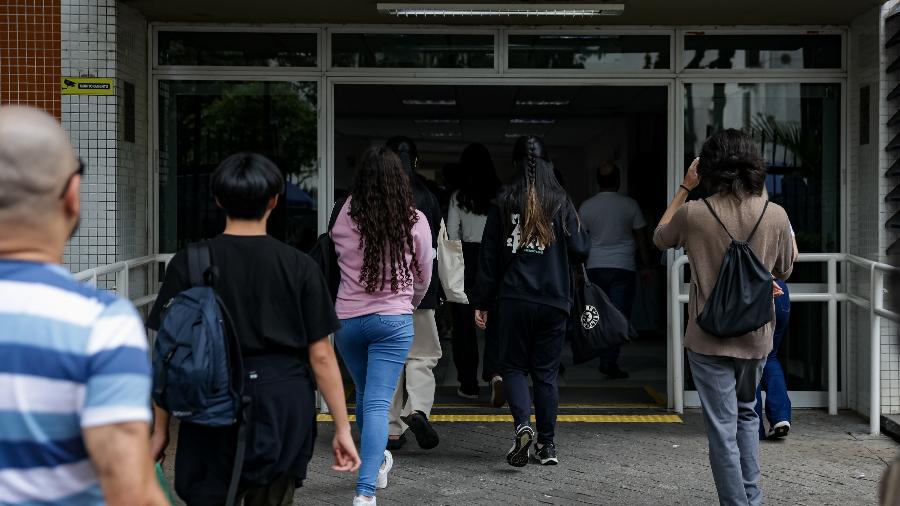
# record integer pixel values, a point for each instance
(874, 303)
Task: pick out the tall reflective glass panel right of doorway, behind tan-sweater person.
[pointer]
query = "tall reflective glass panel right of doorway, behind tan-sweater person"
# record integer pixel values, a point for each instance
(797, 127)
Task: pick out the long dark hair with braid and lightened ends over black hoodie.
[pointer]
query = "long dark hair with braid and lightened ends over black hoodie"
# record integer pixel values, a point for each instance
(535, 194)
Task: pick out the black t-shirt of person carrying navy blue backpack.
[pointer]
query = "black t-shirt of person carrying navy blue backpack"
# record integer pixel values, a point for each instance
(276, 295)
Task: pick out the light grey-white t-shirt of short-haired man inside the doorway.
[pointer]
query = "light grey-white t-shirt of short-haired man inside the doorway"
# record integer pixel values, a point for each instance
(611, 219)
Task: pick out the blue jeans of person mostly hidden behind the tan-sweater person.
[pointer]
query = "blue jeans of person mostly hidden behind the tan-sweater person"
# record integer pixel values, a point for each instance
(778, 404)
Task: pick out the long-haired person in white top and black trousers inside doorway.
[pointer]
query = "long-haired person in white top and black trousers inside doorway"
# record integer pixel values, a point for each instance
(465, 222)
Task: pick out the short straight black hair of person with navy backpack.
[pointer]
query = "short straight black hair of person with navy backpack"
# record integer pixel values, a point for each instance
(244, 183)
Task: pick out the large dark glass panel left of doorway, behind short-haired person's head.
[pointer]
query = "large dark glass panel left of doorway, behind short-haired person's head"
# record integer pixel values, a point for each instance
(202, 122)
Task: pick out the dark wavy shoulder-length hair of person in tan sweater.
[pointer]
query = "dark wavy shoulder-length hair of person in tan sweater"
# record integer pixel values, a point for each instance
(730, 164)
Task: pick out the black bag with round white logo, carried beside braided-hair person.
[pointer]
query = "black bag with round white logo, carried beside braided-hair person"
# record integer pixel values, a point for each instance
(595, 324)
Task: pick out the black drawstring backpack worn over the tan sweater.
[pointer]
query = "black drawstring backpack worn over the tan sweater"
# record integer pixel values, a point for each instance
(741, 301)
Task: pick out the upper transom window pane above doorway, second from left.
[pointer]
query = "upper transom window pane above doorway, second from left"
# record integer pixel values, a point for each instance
(426, 51)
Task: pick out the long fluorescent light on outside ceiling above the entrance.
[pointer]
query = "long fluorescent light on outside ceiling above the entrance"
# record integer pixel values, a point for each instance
(505, 9)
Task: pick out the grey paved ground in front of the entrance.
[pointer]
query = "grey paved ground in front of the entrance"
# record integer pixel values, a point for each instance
(826, 460)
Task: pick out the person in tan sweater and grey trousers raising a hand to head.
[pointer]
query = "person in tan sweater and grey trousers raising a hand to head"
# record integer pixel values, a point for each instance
(726, 371)
